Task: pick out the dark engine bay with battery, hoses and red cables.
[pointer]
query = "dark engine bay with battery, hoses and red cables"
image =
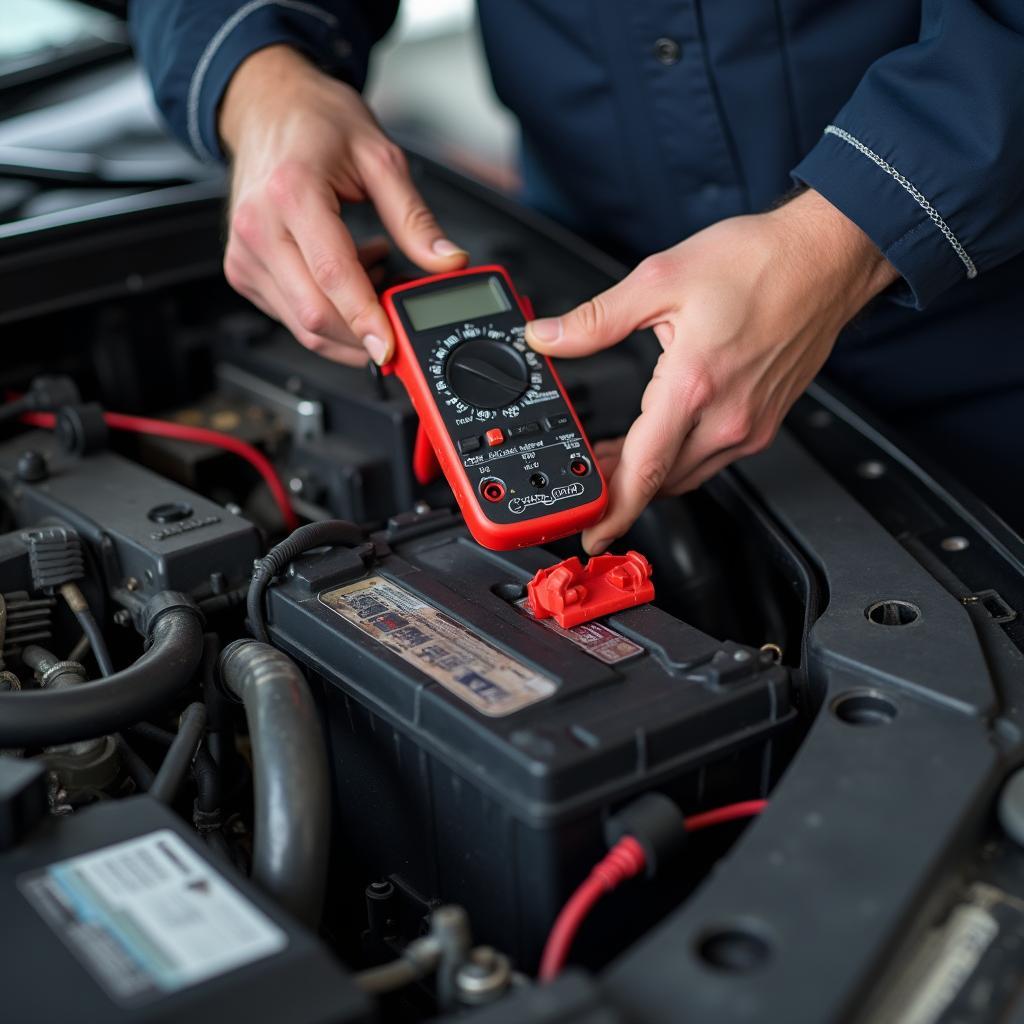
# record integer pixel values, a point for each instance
(378, 778)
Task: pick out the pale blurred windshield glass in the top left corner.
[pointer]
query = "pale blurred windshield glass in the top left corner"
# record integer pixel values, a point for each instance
(34, 32)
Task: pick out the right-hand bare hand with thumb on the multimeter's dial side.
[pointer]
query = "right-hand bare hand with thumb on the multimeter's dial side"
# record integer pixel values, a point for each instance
(747, 313)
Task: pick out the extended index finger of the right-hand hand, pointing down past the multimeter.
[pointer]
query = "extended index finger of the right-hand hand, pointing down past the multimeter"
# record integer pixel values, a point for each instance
(648, 455)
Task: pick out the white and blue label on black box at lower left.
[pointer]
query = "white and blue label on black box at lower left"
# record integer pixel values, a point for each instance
(149, 917)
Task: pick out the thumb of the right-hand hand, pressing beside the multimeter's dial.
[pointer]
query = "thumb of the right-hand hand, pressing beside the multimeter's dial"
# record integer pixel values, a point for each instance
(604, 321)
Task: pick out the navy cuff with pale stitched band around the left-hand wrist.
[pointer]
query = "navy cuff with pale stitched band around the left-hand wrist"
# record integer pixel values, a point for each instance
(253, 27)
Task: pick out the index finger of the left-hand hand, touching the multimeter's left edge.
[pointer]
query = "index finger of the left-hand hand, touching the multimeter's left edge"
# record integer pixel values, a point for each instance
(333, 265)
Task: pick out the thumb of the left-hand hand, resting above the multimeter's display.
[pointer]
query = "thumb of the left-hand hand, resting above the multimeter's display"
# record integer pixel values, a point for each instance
(404, 214)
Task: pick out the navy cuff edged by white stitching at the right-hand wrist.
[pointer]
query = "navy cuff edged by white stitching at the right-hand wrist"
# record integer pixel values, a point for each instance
(857, 179)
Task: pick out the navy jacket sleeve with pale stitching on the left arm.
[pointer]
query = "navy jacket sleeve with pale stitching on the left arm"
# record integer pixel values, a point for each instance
(191, 49)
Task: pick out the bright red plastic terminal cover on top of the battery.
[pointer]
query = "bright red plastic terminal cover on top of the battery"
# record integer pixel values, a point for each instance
(575, 593)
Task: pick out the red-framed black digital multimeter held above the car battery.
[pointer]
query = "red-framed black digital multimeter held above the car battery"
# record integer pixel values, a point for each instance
(495, 411)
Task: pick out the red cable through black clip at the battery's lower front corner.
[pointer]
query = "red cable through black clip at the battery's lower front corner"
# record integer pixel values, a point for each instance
(624, 861)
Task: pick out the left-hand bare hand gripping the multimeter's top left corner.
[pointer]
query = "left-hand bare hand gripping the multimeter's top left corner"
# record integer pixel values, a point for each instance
(302, 145)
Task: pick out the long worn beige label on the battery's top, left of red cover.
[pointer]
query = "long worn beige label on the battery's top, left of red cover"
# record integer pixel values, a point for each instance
(471, 668)
